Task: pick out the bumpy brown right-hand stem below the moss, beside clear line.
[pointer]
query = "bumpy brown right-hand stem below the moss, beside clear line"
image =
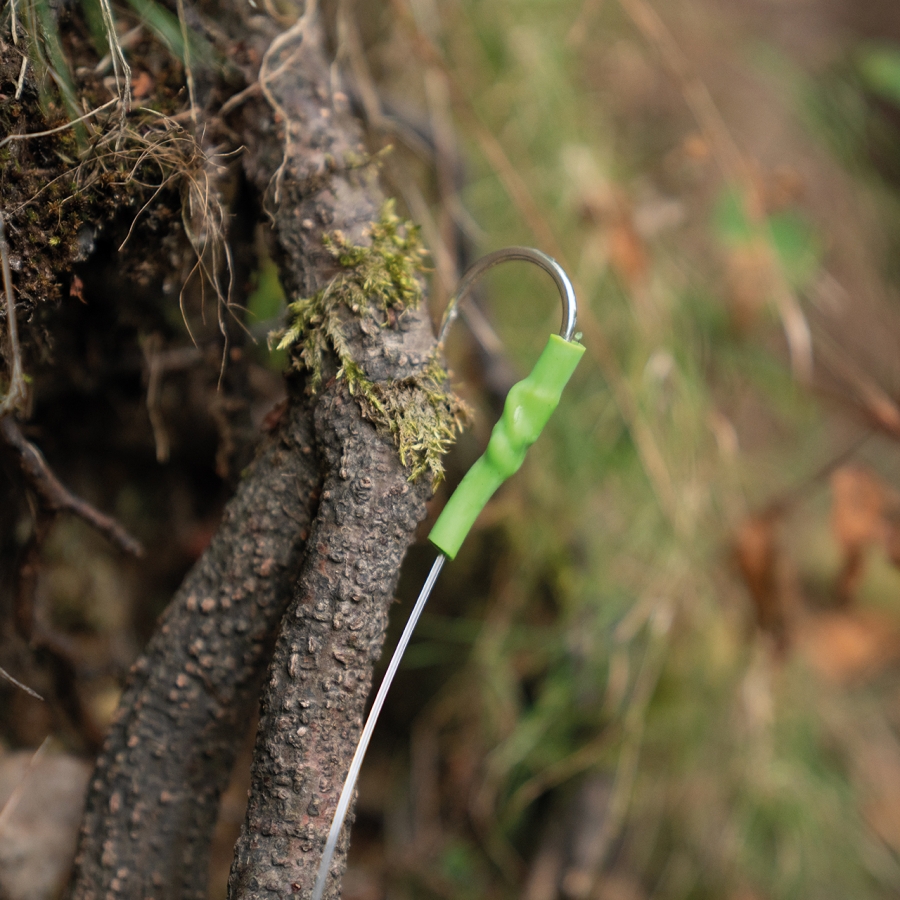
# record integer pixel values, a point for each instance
(321, 672)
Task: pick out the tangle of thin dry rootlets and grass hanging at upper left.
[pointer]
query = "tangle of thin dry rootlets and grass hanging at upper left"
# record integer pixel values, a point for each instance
(122, 157)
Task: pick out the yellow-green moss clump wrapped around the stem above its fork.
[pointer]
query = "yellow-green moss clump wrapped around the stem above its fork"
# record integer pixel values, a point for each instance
(421, 414)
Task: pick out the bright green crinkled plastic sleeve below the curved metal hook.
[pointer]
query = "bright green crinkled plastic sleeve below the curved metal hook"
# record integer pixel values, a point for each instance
(528, 406)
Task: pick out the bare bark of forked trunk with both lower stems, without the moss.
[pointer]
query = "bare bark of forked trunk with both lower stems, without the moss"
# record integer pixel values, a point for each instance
(329, 472)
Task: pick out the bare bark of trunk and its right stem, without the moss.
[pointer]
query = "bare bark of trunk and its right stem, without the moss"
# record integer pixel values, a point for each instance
(321, 672)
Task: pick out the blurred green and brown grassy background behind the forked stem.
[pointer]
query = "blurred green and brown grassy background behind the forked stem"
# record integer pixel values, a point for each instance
(666, 663)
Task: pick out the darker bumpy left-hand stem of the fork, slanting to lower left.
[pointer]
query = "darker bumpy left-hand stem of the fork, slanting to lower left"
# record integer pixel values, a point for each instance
(153, 800)
